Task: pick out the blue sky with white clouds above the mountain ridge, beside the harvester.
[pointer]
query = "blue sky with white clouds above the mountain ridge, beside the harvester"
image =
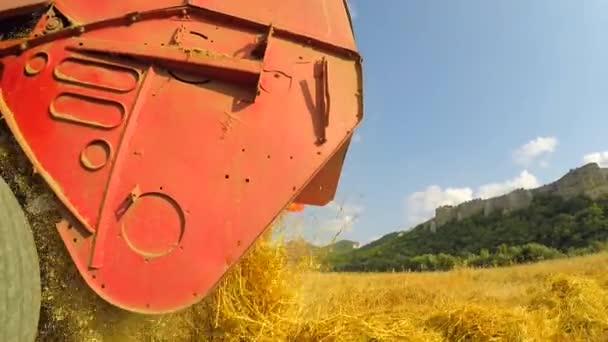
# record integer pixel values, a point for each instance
(463, 99)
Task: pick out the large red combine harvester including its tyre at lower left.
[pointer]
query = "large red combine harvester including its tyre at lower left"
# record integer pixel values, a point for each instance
(173, 132)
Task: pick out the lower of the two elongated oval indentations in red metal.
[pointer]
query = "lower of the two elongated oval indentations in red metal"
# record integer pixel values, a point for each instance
(87, 110)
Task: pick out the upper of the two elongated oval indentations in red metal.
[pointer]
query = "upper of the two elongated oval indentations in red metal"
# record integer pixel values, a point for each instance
(97, 74)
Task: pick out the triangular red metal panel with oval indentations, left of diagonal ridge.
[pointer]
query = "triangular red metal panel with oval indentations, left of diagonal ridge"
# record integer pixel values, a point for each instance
(65, 117)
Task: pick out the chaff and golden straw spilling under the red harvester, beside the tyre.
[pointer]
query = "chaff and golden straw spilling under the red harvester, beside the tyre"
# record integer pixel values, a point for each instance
(253, 294)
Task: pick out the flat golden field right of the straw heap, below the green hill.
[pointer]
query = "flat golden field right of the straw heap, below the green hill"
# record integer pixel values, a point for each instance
(562, 300)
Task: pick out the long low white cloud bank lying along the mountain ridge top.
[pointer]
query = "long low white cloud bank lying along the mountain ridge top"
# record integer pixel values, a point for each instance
(420, 206)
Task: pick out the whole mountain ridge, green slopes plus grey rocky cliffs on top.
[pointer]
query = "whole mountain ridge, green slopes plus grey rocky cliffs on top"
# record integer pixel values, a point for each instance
(565, 217)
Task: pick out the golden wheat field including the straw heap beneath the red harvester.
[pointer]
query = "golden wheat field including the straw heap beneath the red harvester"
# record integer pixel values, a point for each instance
(266, 299)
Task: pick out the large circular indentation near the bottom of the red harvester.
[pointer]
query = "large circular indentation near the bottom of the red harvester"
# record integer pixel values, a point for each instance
(154, 225)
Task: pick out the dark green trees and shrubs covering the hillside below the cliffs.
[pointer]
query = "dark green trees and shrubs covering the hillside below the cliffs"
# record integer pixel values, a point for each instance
(551, 227)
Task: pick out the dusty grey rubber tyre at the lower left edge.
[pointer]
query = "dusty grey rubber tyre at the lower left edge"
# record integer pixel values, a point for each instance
(19, 272)
